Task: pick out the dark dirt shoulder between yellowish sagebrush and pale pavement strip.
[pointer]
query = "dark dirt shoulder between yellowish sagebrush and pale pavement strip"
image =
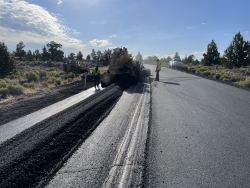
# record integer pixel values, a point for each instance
(27, 103)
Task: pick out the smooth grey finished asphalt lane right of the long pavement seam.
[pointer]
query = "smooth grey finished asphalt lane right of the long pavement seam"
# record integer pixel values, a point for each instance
(199, 135)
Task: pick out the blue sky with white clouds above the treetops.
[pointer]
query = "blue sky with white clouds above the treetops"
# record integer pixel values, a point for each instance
(151, 27)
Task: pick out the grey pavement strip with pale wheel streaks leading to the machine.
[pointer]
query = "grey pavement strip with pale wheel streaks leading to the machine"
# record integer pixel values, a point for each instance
(113, 156)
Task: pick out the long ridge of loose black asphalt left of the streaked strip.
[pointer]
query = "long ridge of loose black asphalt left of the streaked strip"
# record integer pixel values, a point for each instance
(32, 157)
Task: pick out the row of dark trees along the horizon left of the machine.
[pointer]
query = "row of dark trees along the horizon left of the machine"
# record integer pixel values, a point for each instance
(50, 52)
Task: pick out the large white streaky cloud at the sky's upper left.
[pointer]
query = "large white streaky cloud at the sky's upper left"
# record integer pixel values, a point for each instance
(33, 24)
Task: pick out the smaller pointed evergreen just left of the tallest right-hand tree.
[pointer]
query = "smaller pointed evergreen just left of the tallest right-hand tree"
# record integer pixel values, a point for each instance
(212, 56)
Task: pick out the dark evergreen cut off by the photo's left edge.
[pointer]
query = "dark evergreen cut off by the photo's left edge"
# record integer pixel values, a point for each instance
(7, 63)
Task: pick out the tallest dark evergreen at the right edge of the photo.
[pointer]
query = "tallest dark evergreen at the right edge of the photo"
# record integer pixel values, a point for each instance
(236, 52)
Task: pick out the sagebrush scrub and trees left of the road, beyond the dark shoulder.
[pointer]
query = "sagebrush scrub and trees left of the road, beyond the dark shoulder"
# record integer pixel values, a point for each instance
(22, 72)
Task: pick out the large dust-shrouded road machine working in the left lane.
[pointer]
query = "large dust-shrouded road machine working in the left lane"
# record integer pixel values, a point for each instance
(124, 69)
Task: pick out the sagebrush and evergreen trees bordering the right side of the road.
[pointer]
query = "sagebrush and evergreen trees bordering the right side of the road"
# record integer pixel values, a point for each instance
(233, 66)
